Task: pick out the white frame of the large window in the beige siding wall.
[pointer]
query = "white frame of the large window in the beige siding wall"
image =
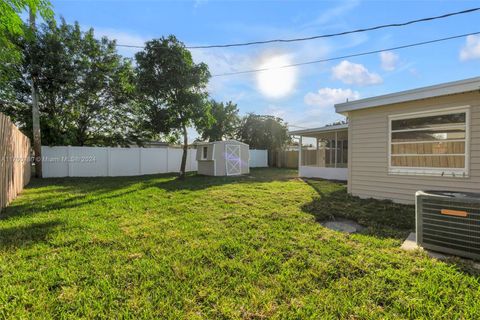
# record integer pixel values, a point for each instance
(443, 172)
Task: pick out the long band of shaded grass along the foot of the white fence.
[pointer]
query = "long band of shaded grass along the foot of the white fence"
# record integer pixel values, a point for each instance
(64, 193)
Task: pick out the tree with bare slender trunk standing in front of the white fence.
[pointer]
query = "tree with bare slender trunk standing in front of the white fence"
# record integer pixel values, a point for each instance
(172, 89)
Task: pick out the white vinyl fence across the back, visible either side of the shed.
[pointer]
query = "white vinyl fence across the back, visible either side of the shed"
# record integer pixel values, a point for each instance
(113, 162)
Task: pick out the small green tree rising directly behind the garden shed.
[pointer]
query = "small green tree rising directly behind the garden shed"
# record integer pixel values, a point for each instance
(226, 121)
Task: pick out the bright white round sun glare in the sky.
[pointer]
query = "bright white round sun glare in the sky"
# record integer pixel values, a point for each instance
(277, 82)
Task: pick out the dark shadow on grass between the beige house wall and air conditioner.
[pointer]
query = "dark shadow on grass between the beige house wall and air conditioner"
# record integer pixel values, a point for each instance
(381, 218)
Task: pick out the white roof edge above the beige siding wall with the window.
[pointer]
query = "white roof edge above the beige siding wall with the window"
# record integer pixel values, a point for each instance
(448, 88)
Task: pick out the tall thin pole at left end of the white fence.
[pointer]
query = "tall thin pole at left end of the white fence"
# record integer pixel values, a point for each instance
(37, 140)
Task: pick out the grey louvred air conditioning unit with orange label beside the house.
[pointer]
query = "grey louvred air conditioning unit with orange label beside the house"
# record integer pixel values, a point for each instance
(449, 222)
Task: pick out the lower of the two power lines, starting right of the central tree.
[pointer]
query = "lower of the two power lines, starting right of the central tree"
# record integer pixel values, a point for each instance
(347, 56)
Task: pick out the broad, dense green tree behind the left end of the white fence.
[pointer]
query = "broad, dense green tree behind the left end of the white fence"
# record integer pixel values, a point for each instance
(85, 88)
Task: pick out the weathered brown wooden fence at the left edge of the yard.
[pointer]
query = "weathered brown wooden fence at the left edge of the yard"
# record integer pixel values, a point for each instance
(15, 169)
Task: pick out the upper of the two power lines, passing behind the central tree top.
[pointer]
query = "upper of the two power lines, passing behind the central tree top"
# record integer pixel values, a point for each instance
(391, 25)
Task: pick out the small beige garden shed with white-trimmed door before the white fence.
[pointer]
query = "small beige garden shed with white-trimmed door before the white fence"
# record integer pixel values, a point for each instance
(223, 158)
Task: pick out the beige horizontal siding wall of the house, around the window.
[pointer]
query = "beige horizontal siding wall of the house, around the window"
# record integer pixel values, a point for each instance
(368, 151)
